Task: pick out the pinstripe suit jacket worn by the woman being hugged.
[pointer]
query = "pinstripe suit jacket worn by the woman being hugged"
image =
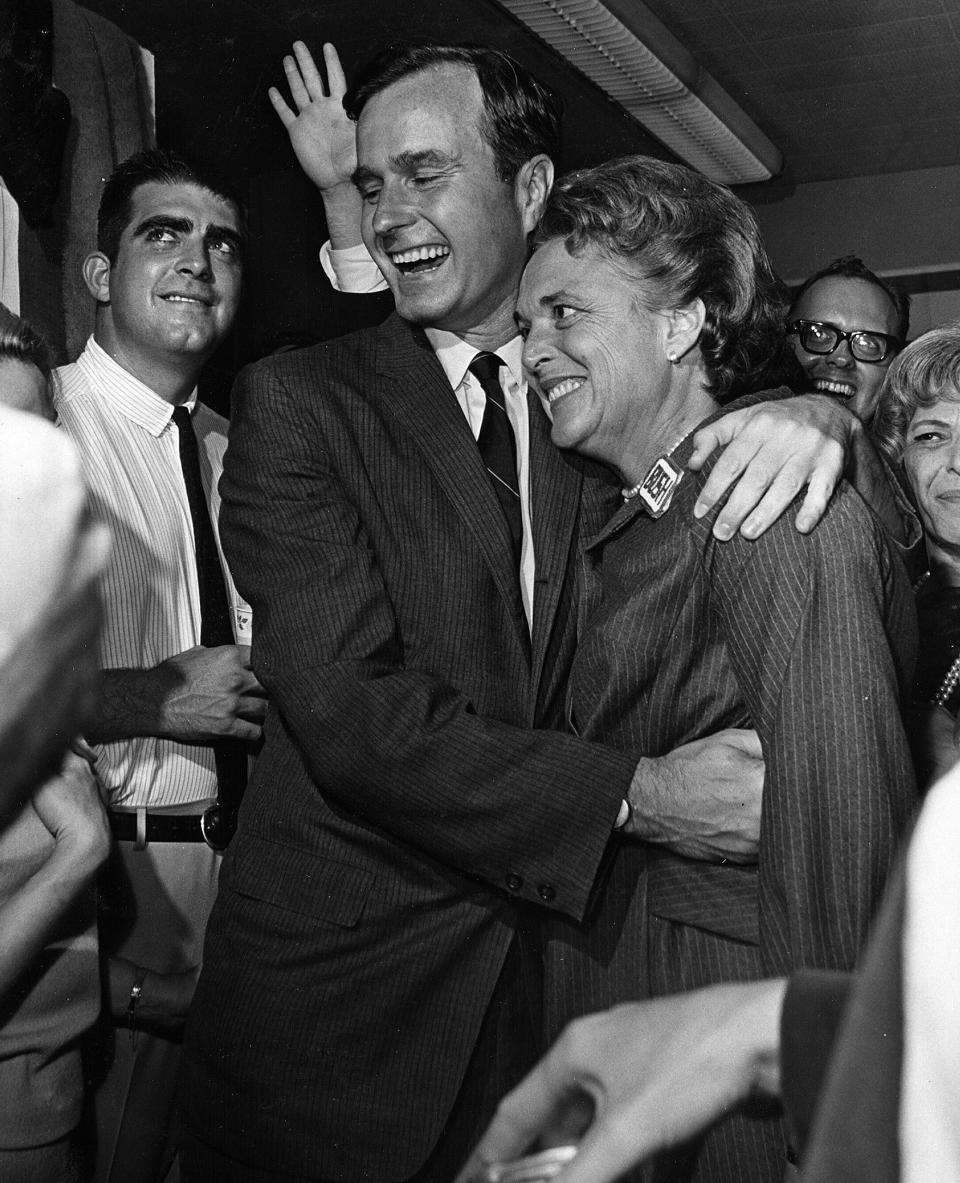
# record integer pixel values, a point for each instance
(811, 642)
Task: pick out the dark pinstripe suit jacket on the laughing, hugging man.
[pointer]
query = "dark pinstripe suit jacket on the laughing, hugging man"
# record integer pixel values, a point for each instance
(403, 806)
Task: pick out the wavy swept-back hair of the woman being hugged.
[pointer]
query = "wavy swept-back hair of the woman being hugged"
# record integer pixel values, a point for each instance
(681, 237)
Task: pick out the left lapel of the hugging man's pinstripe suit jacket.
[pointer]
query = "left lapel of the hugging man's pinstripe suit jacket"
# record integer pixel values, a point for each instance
(417, 393)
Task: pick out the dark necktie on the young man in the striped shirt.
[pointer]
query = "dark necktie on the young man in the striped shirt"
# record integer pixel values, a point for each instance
(215, 625)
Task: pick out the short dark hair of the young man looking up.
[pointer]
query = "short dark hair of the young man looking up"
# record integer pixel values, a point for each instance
(160, 166)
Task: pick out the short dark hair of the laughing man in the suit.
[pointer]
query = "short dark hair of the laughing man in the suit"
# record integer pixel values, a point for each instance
(521, 118)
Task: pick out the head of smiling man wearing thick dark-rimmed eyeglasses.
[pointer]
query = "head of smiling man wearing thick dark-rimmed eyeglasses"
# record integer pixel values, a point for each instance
(847, 325)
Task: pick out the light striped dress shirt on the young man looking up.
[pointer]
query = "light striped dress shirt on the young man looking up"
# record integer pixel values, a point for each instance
(152, 604)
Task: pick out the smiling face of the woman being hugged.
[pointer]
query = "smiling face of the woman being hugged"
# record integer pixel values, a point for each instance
(592, 352)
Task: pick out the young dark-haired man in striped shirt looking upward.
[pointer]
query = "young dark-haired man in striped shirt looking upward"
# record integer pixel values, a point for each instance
(166, 279)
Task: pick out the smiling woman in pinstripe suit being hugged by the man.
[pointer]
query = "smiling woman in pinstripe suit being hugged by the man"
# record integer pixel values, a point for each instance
(648, 306)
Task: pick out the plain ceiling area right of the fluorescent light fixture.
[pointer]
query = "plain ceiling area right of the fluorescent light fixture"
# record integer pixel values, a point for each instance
(843, 88)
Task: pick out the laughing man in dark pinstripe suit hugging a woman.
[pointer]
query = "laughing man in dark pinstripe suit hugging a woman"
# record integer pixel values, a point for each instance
(408, 538)
